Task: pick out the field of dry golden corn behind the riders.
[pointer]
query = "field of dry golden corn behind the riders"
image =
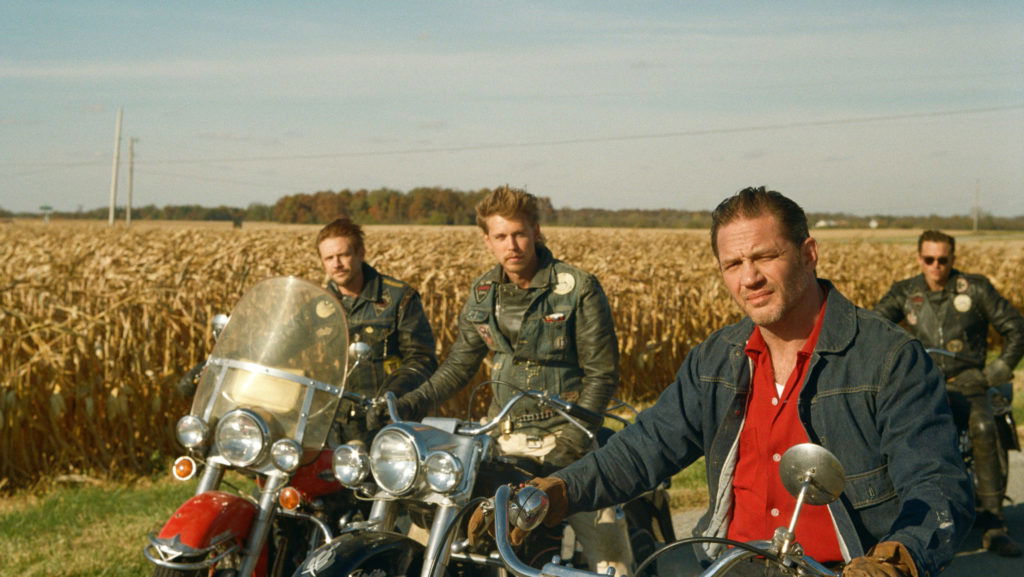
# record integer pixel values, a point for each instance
(97, 324)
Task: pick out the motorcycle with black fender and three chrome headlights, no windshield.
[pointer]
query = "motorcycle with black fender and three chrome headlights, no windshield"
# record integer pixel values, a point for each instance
(438, 472)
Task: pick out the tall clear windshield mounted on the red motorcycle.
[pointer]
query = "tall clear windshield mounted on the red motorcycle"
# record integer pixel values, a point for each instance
(283, 356)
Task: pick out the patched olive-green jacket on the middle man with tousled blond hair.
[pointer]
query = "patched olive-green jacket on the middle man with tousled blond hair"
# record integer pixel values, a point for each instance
(567, 346)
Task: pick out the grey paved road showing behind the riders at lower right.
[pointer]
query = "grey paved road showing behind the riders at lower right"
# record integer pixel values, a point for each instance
(972, 561)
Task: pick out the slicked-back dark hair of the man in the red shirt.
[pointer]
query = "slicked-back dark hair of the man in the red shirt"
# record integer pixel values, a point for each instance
(754, 202)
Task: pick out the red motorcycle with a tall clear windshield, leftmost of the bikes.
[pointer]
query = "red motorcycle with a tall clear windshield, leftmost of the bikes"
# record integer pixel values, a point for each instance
(264, 408)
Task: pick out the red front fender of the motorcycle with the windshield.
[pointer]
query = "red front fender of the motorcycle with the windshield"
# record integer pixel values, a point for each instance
(207, 520)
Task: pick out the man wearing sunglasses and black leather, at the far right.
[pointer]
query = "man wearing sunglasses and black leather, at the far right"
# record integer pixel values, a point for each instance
(951, 312)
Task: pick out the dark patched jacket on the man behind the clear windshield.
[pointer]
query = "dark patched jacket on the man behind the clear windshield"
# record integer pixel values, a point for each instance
(388, 315)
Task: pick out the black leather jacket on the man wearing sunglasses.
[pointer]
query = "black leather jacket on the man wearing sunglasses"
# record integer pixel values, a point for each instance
(957, 320)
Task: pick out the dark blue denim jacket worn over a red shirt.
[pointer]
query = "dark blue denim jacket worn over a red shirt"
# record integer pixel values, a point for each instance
(872, 396)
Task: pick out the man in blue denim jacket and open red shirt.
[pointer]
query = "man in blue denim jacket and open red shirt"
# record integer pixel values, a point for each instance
(861, 387)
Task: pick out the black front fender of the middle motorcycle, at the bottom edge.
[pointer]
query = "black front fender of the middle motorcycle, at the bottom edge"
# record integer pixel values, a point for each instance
(370, 554)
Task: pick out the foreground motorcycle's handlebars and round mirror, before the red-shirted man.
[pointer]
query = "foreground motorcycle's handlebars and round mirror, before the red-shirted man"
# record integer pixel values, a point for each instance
(809, 473)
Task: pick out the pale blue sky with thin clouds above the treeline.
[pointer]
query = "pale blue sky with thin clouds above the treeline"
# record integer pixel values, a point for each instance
(866, 108)
